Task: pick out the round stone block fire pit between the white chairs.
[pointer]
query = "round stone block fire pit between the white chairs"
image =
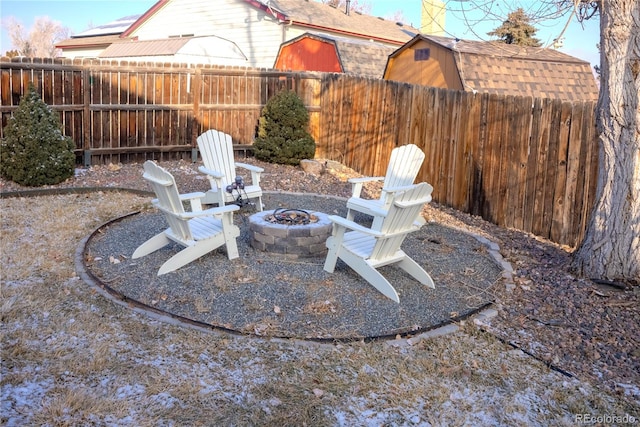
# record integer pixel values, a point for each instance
(294, 233)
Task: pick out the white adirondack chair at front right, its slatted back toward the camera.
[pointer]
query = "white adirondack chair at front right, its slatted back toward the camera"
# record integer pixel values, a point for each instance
(366, 249)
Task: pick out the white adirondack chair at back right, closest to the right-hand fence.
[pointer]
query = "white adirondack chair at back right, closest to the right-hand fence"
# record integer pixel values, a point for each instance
(403, 167)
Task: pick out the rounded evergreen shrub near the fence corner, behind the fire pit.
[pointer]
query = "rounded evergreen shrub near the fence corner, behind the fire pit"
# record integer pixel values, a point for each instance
(283, 135)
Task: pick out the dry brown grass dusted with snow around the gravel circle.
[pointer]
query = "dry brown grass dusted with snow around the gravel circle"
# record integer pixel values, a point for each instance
(72, 357)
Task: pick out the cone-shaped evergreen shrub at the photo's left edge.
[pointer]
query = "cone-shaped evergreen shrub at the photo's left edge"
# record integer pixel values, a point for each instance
(33, 150)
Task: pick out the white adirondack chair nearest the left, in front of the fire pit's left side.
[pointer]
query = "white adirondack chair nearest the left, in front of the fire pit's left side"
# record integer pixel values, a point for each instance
(200, 231)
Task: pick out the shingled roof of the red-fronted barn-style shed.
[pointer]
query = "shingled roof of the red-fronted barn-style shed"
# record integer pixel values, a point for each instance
(362, 57)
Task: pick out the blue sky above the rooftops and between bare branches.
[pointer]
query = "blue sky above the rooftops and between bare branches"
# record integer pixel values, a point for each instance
(81, 15)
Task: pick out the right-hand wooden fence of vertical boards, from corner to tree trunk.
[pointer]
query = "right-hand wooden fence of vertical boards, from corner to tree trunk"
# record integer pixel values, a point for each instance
(519, 162)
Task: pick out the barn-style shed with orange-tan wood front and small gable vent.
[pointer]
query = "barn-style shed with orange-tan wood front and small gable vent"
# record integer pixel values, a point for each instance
(493, 67)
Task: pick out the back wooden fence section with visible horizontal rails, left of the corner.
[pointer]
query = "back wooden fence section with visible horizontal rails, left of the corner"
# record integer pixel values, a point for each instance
(121, 112)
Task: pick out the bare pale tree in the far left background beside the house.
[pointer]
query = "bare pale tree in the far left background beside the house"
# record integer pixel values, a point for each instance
(40, 40)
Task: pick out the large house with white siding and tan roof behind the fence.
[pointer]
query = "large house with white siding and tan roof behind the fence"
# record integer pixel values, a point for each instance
(231, 32)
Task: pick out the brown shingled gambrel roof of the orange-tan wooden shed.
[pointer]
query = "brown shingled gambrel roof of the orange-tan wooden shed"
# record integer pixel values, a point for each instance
(495, 67)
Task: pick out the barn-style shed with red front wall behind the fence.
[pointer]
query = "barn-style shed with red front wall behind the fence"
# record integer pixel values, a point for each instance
(320, 52)
